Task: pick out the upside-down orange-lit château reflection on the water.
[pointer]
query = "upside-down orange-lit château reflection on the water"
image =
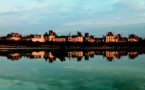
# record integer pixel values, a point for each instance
(53, 55)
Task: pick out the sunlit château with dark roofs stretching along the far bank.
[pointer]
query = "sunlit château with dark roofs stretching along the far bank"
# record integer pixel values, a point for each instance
(51, 36)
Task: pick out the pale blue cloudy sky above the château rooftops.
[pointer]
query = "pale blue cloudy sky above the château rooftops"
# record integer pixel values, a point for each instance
(69, 16)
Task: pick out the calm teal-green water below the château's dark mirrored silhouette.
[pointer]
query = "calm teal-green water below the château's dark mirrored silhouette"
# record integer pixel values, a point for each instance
(96, 73)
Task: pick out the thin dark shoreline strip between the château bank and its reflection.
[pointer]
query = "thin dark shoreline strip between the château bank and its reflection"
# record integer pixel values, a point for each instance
(75, 48)
